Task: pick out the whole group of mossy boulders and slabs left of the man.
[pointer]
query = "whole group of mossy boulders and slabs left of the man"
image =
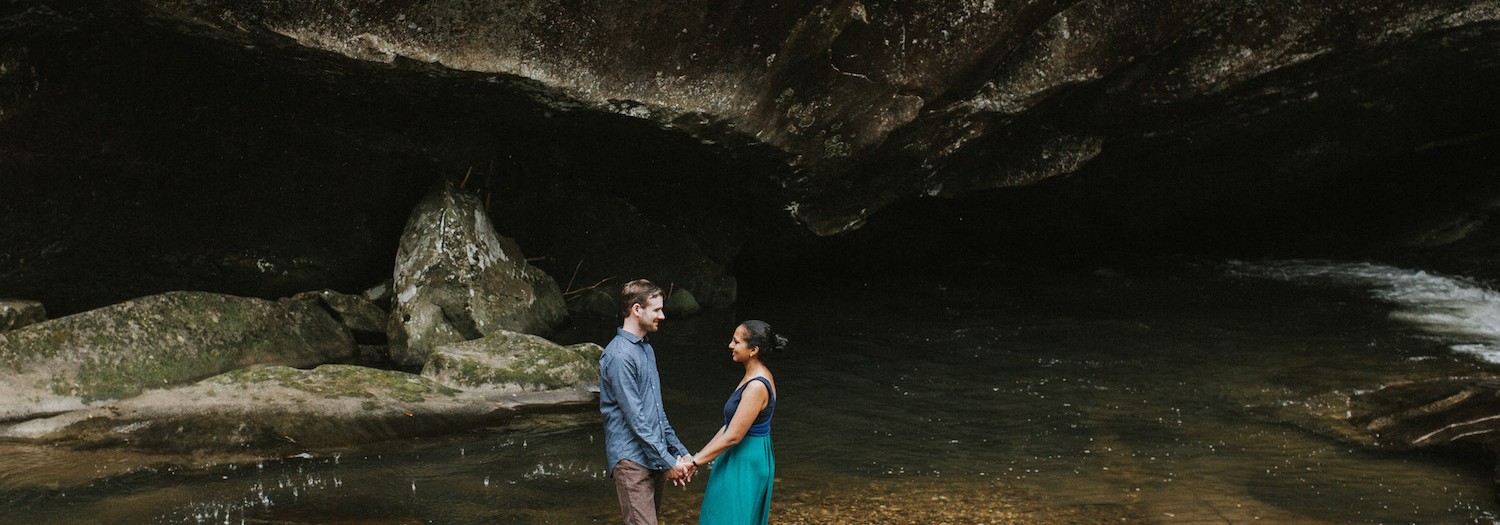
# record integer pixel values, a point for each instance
(202, 373)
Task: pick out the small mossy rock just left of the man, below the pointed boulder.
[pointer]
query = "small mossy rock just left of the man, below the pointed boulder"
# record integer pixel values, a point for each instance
(508, 362)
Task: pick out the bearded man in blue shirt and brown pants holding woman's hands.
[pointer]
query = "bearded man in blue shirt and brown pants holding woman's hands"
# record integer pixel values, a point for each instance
(643, 449)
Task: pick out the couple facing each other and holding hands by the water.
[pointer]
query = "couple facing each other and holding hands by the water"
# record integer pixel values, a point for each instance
(643, 449)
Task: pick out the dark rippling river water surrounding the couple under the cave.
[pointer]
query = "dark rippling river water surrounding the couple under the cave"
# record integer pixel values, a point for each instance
(1198, 394)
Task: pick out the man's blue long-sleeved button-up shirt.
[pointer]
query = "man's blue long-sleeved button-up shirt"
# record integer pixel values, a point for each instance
(631, 401)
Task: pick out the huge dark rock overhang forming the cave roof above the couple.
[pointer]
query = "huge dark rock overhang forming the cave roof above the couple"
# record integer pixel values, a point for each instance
(1162, 127)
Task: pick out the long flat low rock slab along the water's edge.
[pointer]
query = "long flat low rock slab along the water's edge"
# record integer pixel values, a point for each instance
(277, 407)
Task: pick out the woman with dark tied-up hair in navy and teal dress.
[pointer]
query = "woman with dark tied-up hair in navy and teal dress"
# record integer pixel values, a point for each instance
(740, 488)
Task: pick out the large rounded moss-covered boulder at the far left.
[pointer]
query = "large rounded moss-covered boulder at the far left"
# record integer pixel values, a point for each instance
(154, 343)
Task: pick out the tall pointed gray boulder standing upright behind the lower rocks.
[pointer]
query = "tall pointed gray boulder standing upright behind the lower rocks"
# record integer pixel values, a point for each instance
(457, 280)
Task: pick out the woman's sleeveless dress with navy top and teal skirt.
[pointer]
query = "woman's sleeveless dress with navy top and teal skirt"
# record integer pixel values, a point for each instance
(740, 485)
